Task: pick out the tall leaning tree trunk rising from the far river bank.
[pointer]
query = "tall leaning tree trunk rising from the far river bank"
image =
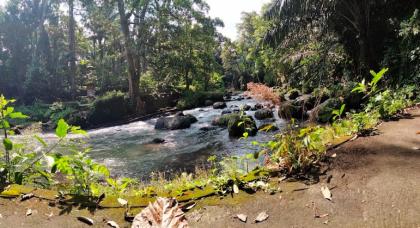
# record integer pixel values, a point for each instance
(133, 70)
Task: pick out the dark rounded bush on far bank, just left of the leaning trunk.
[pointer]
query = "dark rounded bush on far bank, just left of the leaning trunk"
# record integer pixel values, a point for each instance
(112, 106)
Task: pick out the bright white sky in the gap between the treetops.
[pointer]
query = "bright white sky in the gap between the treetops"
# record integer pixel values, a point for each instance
(227, 10)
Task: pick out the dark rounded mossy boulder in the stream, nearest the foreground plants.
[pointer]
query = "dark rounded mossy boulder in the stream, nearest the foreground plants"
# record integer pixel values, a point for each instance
(238, 125)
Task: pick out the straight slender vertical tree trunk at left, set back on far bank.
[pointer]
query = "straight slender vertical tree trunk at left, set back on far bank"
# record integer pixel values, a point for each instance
(72, 50)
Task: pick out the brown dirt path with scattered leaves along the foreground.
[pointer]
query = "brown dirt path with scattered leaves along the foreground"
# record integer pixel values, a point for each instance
(375, 182)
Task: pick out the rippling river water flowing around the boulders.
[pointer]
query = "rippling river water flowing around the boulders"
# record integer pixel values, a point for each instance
(127, 149)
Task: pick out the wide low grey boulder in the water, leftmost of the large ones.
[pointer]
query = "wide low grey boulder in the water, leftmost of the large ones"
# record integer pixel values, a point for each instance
(175, 122)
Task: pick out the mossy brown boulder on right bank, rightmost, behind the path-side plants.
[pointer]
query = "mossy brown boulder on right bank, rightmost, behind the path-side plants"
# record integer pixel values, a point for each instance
(323, 112)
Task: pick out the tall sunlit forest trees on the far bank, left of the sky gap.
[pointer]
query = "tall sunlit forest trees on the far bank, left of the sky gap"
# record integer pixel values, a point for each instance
(48, 55)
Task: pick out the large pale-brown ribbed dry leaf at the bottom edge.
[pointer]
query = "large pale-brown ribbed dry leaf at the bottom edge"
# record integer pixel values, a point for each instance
(163, 212)
